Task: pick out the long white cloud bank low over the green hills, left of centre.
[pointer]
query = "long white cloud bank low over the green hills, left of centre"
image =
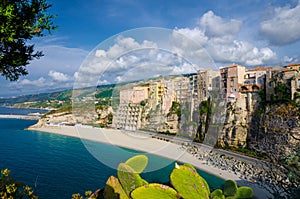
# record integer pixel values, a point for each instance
(112, 65)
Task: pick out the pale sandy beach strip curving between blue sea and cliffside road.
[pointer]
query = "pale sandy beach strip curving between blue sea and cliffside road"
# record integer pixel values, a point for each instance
(147, 144)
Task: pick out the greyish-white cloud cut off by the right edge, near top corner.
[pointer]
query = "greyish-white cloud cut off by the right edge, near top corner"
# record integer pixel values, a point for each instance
(283, 25)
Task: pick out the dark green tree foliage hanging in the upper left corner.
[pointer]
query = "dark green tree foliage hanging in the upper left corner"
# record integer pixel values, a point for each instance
(21, 21)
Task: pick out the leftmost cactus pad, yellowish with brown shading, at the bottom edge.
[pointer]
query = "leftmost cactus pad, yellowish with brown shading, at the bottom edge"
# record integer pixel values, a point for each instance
(113, 189)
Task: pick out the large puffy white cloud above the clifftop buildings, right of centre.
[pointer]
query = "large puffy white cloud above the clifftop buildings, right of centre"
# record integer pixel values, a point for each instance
(217, 39)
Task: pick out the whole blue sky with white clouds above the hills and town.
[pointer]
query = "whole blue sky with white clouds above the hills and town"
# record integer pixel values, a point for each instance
(249, 32)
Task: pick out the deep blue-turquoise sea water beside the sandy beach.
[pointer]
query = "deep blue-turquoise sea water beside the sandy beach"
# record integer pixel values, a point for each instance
(58, 166)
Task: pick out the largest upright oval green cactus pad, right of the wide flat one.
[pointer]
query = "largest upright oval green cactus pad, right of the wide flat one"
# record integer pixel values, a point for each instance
(189, 183)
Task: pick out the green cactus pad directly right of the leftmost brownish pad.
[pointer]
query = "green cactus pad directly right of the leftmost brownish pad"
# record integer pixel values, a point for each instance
(129, 179)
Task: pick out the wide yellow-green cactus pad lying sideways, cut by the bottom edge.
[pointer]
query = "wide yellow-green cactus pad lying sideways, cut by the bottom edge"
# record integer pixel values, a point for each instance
(152, 191)
